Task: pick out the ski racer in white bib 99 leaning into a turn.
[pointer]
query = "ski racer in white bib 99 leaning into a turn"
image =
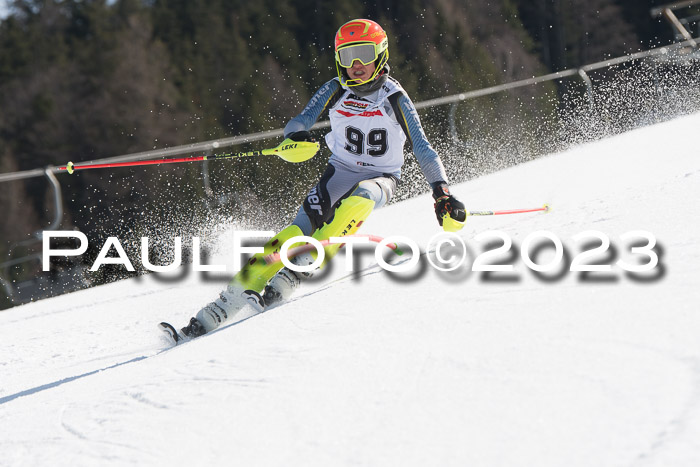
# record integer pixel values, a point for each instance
(371, 117)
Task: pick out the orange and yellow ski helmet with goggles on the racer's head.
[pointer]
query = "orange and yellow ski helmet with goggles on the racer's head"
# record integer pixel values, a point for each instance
(363, 40)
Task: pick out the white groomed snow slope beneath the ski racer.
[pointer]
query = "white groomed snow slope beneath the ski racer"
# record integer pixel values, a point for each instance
(421, 368)
